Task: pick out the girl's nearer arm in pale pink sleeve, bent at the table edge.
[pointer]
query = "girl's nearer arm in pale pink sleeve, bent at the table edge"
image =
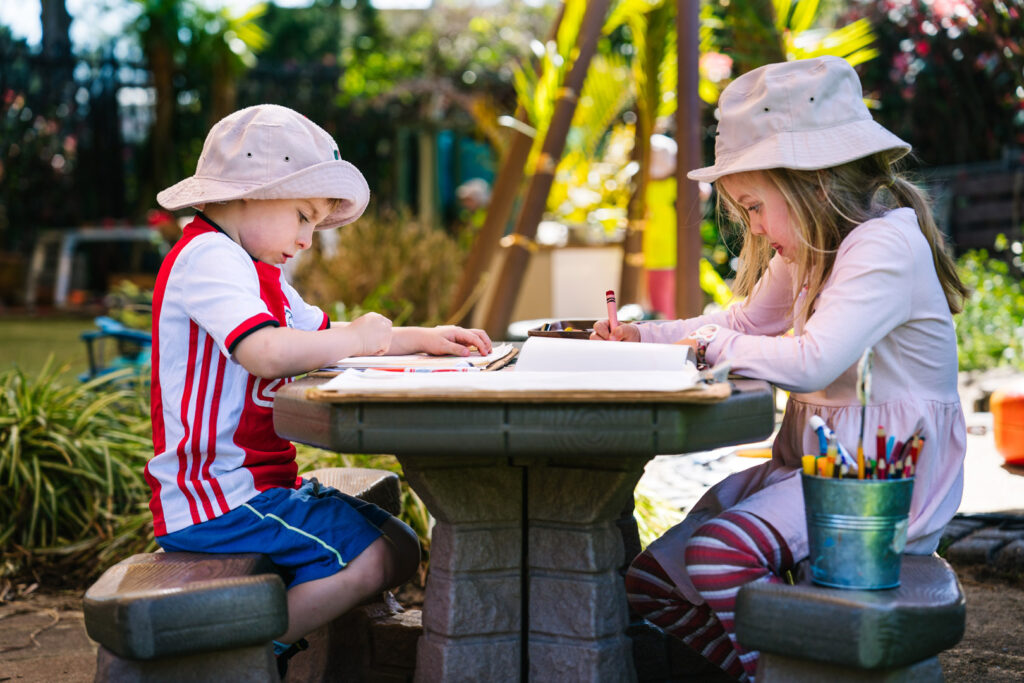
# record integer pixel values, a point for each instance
(868, 295)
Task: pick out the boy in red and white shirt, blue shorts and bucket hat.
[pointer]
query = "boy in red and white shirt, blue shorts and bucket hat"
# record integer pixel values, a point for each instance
(228, 331)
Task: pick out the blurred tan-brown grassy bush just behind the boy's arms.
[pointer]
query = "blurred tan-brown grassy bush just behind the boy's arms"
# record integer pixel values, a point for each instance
(390, 265)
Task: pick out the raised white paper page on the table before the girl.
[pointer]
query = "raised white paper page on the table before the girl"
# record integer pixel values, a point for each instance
(548, 354)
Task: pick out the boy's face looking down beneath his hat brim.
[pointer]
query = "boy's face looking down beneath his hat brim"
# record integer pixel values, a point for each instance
(275, 231)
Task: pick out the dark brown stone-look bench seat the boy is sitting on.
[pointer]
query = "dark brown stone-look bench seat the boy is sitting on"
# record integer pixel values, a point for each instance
(199, 617)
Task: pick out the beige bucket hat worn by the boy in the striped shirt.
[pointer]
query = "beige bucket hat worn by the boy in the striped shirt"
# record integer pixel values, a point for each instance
(270, 152)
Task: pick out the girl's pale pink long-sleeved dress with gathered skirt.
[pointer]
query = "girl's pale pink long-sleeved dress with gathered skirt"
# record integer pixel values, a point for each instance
(883, 292)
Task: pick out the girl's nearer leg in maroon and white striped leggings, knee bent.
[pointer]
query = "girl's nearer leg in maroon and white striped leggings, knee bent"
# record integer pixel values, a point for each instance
(735, 549)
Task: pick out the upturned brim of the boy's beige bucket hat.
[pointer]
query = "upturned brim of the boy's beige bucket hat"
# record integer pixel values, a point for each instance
(333, 180)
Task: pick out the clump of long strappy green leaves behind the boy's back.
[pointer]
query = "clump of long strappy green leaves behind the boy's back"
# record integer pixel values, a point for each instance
(71, 469)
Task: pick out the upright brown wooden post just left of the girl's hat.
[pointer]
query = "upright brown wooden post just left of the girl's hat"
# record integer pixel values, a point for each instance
(690, 298)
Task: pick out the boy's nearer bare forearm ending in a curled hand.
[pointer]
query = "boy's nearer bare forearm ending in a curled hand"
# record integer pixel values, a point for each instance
(273, 353)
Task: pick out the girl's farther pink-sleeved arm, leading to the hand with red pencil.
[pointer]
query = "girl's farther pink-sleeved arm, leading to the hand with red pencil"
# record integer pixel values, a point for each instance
(766, 312)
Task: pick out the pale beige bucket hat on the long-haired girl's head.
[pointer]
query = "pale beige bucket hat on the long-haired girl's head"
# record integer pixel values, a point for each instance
(802, 115)
